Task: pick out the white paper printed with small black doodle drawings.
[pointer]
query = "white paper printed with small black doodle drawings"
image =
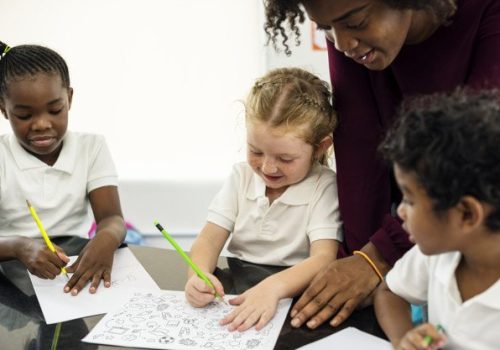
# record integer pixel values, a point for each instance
(165, 320)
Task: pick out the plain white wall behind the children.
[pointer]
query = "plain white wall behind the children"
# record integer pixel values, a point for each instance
(163, 81)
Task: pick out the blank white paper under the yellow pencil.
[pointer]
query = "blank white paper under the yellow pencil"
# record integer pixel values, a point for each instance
(57, 306)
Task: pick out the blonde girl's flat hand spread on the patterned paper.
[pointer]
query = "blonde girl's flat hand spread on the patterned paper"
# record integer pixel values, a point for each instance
(257, 306)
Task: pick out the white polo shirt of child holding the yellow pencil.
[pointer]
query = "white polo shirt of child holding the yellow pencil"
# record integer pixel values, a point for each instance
(59, 193)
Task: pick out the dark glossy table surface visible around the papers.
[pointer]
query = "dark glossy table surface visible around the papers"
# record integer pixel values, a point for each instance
(22, 325)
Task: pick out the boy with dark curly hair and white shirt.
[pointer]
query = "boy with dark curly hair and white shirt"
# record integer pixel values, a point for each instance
(446, 155)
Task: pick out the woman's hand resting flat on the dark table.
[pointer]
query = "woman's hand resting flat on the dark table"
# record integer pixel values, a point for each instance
(336, 291)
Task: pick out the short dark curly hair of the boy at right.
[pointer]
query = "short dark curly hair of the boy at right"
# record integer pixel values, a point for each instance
(452, 143)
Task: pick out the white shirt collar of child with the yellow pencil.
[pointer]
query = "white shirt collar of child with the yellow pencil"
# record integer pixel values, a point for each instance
(25, 161)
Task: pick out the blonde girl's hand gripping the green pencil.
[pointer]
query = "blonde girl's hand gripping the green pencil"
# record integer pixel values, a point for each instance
(198, 293)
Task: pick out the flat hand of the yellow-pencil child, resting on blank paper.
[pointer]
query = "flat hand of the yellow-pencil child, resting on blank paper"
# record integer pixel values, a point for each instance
(93, 264)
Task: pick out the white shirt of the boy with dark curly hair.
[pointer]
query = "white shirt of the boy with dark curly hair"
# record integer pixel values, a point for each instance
(474, 324)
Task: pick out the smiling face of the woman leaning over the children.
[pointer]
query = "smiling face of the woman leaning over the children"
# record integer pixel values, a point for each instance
(367, 31)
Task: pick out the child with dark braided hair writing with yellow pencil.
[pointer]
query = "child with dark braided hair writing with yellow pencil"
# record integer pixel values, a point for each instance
(59, 172)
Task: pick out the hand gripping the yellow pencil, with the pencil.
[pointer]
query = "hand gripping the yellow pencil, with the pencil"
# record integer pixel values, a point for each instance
(41, 264)
